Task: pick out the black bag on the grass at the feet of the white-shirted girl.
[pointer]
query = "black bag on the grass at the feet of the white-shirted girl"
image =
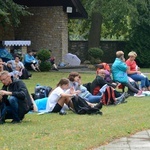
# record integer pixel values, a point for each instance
(82, 107)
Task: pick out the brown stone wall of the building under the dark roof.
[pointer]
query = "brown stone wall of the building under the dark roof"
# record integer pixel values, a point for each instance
(47, 28)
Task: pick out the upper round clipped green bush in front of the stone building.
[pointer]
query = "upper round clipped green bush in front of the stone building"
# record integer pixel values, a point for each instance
(43, 54)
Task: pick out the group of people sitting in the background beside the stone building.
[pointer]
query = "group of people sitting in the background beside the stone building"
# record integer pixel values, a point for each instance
(20, 69)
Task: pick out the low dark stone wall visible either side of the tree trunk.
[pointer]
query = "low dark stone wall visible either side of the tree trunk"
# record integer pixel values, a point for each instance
(80, 48)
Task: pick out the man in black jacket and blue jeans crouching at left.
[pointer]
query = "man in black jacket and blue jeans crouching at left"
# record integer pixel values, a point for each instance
(15, 97)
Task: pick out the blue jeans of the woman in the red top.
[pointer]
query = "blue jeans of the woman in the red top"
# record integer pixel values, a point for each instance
(138, 77)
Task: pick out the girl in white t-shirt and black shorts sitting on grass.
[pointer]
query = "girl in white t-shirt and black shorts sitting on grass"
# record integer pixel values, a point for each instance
(59, 99)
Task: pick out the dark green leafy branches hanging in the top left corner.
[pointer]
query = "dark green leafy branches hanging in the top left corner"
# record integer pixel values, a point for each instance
(11, 12)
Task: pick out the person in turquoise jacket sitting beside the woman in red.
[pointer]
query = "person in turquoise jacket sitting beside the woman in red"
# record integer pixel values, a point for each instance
(119, 72)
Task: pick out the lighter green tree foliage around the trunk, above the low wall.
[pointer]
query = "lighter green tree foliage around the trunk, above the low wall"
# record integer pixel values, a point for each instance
(118, 18)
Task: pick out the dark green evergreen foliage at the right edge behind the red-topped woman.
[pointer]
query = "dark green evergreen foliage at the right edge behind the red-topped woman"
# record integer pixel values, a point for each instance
(139, 39)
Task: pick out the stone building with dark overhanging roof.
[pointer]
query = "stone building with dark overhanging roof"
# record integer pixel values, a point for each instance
(47, 28)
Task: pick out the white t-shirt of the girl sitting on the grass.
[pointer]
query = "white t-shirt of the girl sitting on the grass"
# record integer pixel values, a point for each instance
(53, 98)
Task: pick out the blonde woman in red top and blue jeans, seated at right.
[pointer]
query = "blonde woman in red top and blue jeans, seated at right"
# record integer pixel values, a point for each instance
(135, 73)
